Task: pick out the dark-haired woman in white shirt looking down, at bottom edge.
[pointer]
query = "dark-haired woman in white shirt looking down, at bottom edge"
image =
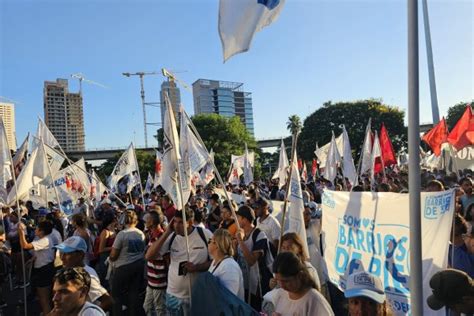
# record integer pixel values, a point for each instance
(297, 295)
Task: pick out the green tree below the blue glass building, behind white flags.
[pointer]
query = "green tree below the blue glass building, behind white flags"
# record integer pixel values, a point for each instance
(226, 136)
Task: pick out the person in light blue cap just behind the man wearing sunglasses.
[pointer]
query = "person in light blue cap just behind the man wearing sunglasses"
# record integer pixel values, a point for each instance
(72, 252)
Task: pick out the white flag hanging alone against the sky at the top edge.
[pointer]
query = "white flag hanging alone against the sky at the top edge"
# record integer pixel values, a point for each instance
(239, 20)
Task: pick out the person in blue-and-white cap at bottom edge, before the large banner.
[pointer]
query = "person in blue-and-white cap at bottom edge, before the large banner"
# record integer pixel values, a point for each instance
(366, 295)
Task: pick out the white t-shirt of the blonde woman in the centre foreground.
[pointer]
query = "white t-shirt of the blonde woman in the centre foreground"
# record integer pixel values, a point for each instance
(229, 274)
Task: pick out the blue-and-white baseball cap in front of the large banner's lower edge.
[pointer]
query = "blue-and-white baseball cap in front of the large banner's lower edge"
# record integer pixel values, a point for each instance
(366, 285)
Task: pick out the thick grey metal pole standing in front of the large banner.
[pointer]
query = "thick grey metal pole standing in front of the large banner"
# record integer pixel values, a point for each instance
(416, 286)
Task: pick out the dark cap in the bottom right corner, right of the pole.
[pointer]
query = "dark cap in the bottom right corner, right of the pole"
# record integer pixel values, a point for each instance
(449, 286)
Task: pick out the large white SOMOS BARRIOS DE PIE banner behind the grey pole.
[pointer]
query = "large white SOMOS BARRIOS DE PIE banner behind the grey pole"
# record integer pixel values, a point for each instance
(370, 231)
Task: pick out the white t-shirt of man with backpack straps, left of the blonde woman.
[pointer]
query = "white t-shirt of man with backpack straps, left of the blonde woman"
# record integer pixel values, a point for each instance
(178, 285)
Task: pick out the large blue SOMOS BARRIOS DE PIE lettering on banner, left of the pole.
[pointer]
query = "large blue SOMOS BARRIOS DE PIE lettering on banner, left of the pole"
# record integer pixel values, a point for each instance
(388, 253)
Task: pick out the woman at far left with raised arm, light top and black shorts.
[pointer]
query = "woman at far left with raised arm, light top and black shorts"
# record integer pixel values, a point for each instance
(43, 268)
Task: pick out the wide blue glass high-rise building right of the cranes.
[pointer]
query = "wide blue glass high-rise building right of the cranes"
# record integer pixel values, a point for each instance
(224, 98)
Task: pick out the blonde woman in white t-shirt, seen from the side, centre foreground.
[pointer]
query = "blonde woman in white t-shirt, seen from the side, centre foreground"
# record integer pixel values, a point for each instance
(223, 265)
